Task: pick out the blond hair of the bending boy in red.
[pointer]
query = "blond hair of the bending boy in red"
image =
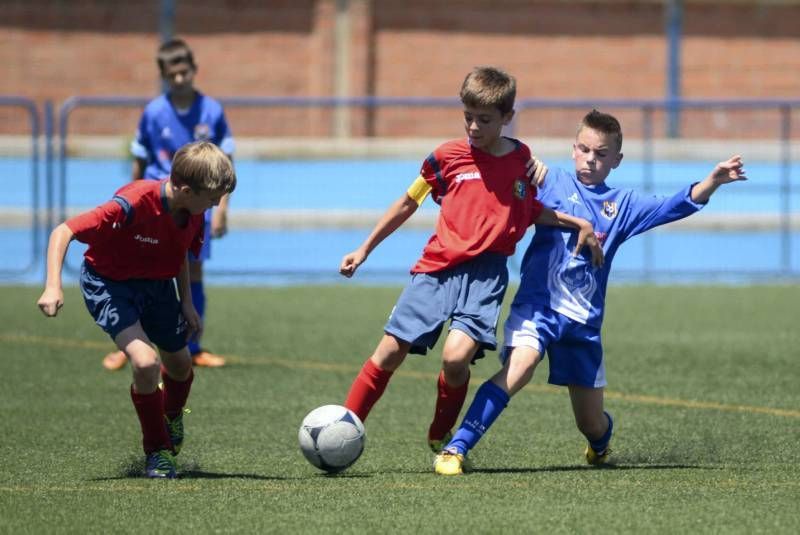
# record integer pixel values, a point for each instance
(203, 166)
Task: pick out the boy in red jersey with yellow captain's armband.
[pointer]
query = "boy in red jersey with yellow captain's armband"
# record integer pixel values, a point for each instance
(487, 204)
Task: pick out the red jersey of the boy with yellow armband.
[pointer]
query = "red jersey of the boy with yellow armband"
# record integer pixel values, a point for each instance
(487, 203)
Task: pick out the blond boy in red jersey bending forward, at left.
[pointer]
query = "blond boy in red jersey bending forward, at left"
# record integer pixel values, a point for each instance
(138, 243)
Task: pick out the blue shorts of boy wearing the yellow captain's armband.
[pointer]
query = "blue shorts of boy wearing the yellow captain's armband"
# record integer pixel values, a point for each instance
(469, 295)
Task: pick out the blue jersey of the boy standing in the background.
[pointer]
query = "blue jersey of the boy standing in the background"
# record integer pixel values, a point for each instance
(163, 130)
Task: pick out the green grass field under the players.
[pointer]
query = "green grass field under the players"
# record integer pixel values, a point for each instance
(703, 383)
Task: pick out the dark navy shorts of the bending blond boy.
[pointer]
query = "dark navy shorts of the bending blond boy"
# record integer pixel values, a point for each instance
(116, 305)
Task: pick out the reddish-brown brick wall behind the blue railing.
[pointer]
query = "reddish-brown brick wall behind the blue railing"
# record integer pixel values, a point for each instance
(52, 49)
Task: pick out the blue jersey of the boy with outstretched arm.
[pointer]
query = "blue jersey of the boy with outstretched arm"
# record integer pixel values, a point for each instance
(571, 286)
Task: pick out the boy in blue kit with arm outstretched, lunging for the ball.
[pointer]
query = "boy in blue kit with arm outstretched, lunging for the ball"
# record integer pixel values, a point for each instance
(559, 305)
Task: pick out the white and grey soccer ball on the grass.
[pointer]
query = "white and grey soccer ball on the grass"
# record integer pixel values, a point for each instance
(331, 437)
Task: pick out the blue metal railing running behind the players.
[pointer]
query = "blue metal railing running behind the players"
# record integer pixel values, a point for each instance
(57, 209)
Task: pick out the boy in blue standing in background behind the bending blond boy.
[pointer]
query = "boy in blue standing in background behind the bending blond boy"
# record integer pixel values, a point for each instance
(180, 116)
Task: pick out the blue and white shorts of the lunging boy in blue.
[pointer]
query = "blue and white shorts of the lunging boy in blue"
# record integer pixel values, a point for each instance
(574, 349)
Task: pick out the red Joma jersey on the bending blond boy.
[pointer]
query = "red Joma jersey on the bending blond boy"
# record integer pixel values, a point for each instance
(134, 235)
